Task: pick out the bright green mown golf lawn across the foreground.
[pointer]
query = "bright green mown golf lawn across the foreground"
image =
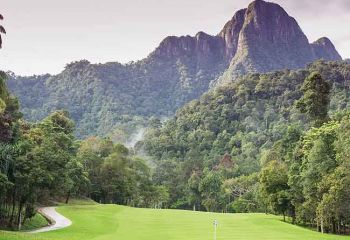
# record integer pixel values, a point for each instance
(110, 222)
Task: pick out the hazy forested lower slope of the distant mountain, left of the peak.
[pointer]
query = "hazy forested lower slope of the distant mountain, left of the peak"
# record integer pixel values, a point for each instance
(104, 97)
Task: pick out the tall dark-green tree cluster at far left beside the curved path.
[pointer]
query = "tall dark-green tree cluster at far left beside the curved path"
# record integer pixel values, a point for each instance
(36, 160)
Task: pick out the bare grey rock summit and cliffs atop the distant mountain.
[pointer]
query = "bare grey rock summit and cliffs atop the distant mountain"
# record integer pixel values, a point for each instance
(261, 38)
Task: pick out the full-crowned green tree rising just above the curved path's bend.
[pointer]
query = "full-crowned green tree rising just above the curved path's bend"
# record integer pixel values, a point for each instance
(54, 148)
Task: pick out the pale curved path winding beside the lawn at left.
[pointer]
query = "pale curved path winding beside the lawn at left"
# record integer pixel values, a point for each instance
(57, 220)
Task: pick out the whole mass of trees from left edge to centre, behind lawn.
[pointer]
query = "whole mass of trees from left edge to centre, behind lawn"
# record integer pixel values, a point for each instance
(43, 161)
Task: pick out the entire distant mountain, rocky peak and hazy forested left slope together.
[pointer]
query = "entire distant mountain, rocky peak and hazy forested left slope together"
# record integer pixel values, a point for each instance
(101, 97)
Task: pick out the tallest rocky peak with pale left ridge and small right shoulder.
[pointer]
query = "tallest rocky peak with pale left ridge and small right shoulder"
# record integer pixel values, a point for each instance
(271, 40)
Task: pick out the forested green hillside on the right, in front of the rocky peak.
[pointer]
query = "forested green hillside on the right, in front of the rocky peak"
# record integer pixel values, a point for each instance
(209, 155)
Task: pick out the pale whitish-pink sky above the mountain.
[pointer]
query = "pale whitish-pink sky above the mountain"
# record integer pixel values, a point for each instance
(44, 35)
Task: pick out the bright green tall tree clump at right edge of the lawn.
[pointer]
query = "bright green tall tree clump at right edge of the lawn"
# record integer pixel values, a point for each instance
(317, 178)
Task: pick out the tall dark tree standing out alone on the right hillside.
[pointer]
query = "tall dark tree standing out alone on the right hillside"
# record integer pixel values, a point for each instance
(315, 100)
